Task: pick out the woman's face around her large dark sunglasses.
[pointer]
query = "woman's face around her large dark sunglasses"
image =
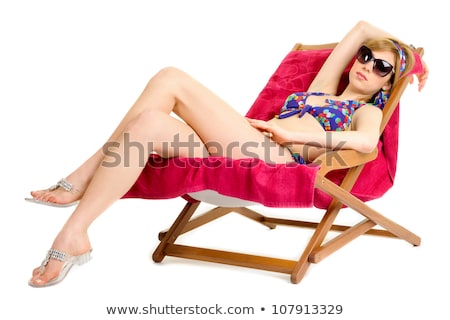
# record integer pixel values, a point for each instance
(368, 81)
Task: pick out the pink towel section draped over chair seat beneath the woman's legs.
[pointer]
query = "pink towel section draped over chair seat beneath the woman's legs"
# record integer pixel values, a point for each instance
(273, 185)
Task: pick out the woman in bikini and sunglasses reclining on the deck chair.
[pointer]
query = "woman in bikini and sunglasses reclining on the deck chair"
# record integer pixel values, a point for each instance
(301, 132)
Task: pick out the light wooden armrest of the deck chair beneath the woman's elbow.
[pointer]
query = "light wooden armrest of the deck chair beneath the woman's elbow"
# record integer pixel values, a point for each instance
(342, 159)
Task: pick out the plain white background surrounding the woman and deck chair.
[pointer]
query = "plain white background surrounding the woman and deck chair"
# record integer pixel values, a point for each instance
(69, 70)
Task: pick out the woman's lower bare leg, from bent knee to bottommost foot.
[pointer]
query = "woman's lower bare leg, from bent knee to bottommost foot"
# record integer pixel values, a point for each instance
(73, 237)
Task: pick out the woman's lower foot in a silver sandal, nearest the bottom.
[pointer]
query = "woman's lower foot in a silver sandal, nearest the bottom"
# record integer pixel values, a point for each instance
(66, 251)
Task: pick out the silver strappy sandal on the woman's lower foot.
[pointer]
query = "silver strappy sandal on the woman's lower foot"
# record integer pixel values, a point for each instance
(68, 262)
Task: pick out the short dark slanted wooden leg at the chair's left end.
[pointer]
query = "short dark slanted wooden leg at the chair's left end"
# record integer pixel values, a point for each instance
(175, 230)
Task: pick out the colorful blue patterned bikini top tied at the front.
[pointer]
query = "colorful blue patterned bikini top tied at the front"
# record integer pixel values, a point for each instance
(333, 116)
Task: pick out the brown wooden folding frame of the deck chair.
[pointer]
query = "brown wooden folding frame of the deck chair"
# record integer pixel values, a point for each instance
(316, 249)
